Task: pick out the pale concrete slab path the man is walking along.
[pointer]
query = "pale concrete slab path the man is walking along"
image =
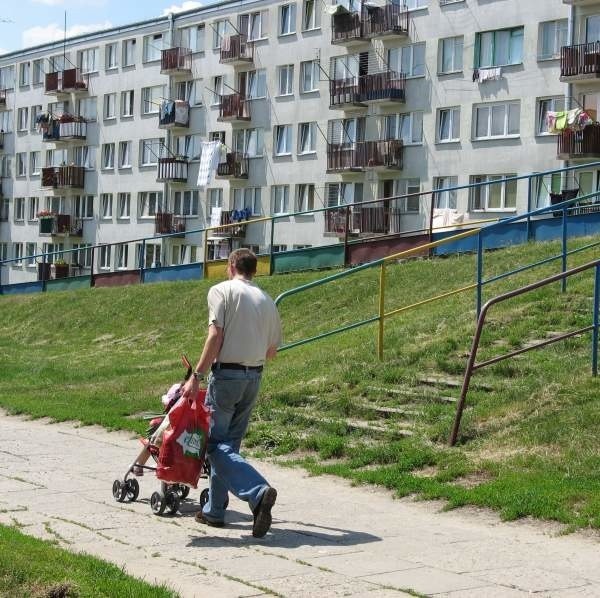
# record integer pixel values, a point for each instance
(327, 539)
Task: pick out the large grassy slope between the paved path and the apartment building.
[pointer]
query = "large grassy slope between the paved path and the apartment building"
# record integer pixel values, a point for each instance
(528, 439)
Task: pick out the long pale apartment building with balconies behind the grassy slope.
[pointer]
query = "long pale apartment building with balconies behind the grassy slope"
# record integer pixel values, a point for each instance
(317, 105)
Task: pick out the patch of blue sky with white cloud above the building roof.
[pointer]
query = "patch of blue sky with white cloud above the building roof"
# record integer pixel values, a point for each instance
(25, 23)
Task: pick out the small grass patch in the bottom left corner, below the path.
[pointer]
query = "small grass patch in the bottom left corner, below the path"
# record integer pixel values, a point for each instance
(32, 568)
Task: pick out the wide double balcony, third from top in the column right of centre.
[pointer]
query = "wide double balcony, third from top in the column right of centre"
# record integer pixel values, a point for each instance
(361, 155)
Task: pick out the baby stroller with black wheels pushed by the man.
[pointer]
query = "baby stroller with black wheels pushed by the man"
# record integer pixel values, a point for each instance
(169, 497)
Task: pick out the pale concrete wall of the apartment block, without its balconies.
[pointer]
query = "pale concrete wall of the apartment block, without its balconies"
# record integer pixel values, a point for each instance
(494, 127)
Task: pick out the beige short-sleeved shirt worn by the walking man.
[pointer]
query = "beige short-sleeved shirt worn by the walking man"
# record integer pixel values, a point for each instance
(249, 319)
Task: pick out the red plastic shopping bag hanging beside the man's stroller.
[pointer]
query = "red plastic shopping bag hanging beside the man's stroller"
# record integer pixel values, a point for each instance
(183, 447)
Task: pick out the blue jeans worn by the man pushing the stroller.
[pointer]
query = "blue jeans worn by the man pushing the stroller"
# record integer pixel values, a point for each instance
(232, 395)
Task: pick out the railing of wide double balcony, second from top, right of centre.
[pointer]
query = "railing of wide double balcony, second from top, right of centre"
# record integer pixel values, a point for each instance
(377, 87)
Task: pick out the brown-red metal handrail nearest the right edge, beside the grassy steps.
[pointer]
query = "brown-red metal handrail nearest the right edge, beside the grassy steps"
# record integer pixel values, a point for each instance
(472, 365)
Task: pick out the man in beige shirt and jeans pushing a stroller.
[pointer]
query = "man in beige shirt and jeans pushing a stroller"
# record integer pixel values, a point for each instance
(244, 330)
